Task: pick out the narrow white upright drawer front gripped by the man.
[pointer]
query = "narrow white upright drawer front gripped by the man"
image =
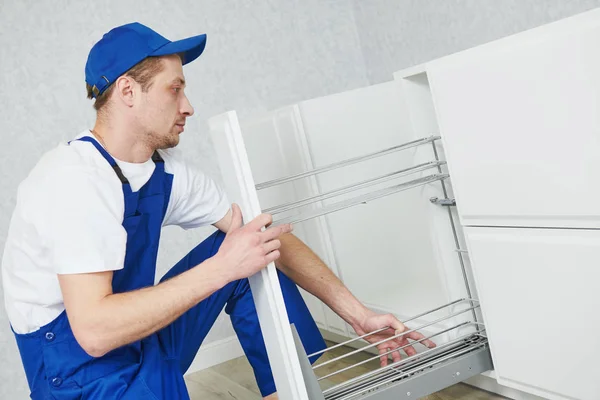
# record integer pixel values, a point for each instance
(240, 188)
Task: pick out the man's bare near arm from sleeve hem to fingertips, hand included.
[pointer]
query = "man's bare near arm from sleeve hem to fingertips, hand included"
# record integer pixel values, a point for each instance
(102, 320)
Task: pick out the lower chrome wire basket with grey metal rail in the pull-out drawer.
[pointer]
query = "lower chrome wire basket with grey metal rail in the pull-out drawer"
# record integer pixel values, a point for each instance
(463, 354)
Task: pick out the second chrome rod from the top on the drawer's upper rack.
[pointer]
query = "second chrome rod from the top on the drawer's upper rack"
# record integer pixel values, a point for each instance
(355, 186)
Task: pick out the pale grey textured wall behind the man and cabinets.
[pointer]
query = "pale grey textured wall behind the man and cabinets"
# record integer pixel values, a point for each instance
(260, 55)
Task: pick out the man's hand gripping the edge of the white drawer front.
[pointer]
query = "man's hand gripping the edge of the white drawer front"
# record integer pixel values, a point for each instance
(247, 248)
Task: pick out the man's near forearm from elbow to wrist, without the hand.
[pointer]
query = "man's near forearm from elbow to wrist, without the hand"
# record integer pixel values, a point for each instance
(122, 318)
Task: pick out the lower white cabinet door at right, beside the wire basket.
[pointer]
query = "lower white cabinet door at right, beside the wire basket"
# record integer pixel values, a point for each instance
(539, 295)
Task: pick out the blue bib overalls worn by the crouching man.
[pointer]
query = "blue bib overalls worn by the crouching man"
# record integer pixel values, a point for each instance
(152, 368)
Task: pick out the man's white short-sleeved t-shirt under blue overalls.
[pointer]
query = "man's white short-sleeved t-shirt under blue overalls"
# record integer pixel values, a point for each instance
(68, 218)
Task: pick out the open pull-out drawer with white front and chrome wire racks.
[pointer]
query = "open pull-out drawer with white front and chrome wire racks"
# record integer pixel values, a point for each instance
(462, 346)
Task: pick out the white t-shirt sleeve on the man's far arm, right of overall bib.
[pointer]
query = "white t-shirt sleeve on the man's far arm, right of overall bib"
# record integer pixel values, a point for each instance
(196, 199)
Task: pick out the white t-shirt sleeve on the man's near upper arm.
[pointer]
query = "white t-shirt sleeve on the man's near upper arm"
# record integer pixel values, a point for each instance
(79, 219)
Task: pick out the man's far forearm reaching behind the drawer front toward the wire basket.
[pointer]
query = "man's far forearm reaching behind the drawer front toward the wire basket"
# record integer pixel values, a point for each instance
(305, 268)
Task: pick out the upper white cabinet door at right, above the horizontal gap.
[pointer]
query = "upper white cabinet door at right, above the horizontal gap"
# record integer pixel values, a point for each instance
(520, 120)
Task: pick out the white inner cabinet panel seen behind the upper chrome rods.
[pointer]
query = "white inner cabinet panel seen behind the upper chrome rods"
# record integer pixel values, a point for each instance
(386, 250)
